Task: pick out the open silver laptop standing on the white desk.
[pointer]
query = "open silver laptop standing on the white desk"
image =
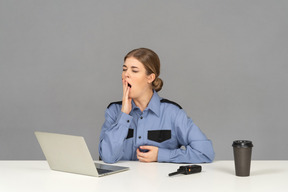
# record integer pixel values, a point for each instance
(70, 154)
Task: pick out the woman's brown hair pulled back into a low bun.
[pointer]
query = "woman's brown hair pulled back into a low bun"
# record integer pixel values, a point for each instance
(151, 62)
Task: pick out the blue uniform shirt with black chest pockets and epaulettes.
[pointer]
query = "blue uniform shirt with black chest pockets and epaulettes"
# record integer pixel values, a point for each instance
(163, 124)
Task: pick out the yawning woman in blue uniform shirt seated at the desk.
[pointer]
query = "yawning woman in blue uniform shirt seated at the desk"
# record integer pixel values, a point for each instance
(144, 126)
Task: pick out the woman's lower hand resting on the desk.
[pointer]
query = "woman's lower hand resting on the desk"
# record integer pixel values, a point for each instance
(150, 156)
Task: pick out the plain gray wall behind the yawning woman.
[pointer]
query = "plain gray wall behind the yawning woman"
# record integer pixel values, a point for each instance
(224, 62)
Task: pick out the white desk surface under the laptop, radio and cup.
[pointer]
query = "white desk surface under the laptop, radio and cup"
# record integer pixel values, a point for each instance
(147, 177)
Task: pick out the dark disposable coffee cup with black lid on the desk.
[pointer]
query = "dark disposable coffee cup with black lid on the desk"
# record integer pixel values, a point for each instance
(242, 157)
